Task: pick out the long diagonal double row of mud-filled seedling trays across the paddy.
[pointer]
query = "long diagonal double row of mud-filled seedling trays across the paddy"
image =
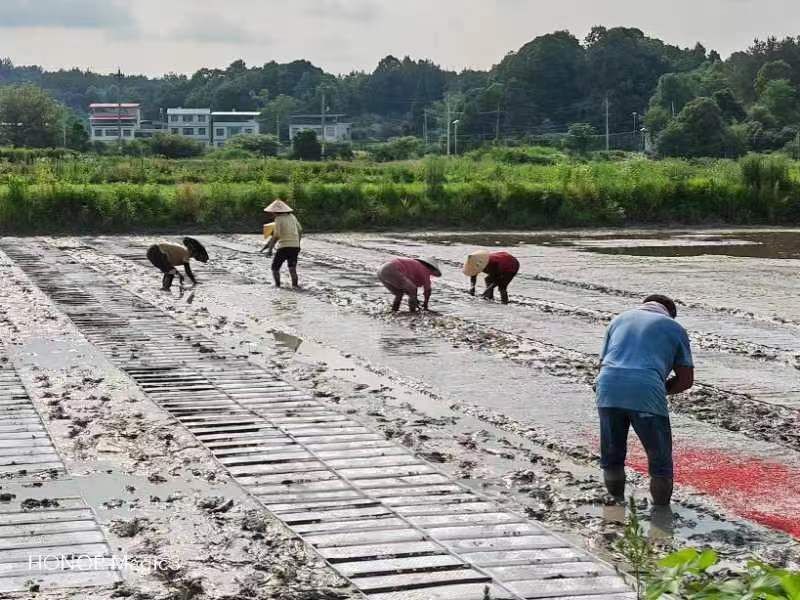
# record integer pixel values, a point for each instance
(352, 496)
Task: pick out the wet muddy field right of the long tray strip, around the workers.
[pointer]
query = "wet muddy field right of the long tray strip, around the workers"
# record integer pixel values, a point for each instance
(516, 379)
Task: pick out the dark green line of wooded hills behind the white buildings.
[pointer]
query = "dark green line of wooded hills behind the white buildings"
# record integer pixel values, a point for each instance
(691, 101)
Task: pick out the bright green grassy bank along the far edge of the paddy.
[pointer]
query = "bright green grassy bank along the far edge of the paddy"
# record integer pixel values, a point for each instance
(116, 195)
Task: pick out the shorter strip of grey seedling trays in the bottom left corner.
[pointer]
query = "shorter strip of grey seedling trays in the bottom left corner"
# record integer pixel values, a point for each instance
(39, 526)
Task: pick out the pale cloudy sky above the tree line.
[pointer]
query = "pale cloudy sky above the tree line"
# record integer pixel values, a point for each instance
(154, 37)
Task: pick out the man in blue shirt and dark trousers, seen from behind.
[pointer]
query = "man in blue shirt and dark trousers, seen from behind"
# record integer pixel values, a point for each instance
(642, 348)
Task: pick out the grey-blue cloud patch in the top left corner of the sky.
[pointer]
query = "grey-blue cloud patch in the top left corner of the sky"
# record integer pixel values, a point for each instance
(64, 14)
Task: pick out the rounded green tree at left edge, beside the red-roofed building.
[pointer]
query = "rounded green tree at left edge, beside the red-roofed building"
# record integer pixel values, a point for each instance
(29, 117)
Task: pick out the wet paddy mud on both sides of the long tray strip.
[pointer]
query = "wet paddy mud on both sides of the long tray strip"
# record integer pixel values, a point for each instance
(497, 397)
